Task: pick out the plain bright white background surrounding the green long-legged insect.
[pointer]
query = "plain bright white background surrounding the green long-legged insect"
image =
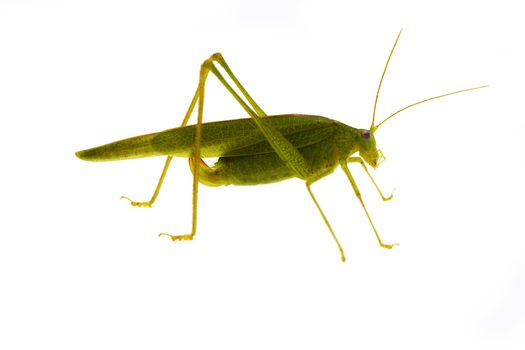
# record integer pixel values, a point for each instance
(80, 269)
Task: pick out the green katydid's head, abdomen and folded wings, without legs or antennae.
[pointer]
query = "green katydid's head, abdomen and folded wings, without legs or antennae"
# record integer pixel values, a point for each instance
(245, 155)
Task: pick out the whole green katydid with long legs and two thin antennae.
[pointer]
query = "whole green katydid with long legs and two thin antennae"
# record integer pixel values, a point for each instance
(261, 149)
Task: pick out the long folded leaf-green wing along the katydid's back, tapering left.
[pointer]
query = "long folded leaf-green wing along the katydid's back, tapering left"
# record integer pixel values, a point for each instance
(229, 138)
